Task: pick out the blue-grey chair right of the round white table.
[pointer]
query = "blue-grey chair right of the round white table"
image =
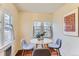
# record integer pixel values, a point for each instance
(56, 45)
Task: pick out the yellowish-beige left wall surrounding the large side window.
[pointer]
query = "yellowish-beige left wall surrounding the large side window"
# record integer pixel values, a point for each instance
(13, 11)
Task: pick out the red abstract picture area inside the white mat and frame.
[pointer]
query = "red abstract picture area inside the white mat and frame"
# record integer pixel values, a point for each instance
(69, 23)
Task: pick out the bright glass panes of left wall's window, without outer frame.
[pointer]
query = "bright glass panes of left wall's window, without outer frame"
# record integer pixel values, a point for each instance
(7, 28)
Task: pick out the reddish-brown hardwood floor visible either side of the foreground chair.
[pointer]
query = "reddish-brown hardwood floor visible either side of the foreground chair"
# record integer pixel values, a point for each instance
(29, 52)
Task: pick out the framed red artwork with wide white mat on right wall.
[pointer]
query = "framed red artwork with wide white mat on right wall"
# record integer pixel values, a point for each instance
(70, 23)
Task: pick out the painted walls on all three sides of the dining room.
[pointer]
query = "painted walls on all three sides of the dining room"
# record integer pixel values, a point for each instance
(23, 22)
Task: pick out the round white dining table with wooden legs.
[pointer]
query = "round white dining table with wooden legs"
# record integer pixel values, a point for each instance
(41, 43)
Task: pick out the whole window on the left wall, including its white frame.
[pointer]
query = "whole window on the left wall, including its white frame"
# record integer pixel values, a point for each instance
(6, 29)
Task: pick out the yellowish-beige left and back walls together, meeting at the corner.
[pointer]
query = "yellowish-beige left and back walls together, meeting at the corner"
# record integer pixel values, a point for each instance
(23, 22)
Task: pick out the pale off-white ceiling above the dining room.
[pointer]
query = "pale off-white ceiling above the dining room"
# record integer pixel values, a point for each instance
(39, 7)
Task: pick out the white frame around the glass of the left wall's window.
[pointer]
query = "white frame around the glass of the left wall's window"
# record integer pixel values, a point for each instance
(3, 42)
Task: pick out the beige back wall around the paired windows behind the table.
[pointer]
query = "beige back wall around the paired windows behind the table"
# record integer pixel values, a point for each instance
(26, 22)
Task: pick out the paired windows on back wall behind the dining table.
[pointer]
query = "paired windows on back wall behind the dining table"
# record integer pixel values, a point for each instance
(39, 27)
